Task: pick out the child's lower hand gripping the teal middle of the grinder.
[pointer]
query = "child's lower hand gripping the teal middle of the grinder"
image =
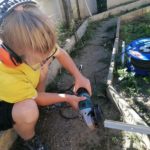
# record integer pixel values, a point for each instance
(74, 100)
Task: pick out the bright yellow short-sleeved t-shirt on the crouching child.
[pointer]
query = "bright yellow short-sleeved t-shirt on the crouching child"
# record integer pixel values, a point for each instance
(18, 84)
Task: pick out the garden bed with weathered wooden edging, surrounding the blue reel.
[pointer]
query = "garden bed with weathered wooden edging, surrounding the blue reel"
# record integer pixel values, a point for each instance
(132, 93)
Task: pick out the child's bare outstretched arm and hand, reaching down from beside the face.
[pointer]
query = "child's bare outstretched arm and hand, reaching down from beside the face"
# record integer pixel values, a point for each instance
(68, 64)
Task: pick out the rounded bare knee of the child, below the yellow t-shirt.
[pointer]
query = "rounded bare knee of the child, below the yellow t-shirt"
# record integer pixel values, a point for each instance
(25, 112)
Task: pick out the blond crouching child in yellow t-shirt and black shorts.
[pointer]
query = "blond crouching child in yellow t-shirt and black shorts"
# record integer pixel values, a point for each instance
(28, 47)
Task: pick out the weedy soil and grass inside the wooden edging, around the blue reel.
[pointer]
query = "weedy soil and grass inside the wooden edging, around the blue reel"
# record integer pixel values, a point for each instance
(136, 89)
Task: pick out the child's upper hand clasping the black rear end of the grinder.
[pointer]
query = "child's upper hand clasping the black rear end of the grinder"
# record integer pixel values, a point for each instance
(82, 82)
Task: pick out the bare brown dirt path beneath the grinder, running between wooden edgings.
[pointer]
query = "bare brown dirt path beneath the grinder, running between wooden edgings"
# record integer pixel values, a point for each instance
(63, 134)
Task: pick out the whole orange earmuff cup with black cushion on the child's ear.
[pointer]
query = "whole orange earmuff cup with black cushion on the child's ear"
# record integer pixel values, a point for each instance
(9, 57)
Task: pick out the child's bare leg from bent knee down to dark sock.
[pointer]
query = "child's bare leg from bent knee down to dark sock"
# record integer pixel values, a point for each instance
(25, 115)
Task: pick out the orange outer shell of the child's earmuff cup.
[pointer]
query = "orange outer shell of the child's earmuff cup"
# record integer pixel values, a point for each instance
(7, 59)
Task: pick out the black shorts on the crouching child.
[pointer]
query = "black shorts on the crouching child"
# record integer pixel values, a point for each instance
(6, 120)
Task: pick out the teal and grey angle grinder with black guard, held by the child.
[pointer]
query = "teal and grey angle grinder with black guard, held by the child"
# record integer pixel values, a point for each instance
(91, 114)
